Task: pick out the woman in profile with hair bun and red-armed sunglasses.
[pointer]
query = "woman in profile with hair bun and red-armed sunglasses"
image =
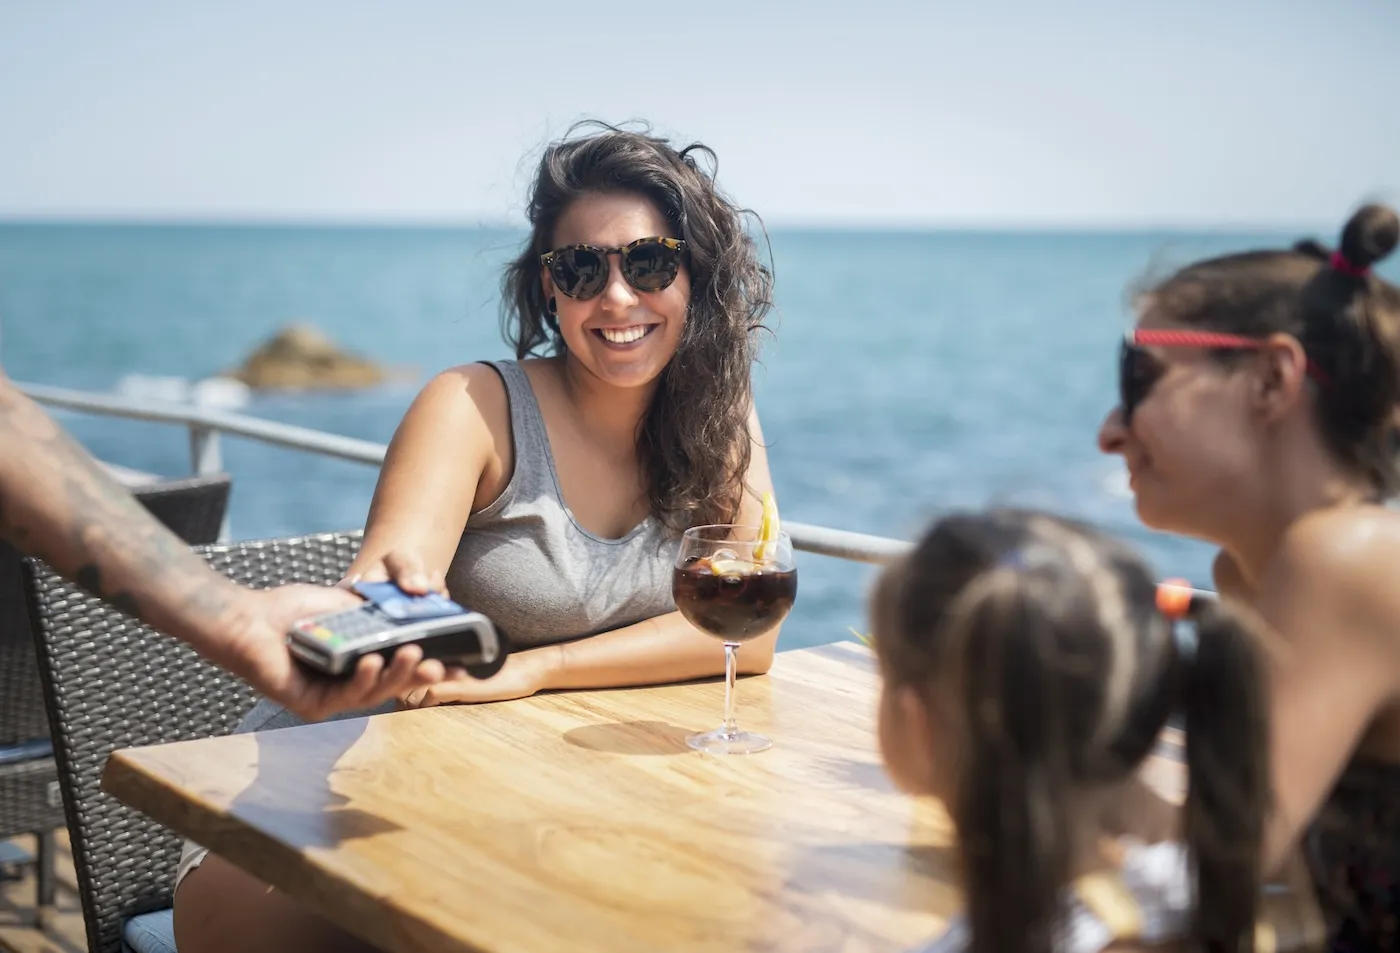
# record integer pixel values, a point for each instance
(1256, 411)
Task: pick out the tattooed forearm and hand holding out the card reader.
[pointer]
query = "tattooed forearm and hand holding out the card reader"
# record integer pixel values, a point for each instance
(58, 504)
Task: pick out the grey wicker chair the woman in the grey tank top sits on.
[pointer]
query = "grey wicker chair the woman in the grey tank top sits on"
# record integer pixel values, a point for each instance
(110, 684)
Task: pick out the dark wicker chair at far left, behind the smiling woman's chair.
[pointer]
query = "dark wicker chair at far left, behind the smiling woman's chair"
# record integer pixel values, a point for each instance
(30, 803)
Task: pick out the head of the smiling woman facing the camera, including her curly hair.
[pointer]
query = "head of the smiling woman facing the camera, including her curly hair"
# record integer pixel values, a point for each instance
(701, 283)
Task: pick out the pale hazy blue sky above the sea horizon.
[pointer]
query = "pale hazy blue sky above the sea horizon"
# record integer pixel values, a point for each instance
(1067, 114)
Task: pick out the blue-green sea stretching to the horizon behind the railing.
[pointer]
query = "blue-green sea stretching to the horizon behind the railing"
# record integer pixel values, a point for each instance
(908, 376)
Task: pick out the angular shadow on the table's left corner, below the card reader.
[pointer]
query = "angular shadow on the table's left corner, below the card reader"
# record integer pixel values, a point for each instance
(290, 797)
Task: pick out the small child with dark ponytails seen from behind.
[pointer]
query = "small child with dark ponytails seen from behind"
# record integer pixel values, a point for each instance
(1030, 671)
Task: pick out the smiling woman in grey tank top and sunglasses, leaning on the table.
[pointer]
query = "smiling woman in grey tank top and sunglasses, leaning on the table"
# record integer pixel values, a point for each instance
(551, 492)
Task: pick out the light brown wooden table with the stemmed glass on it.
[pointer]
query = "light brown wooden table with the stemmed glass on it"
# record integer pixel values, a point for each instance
(579, 821)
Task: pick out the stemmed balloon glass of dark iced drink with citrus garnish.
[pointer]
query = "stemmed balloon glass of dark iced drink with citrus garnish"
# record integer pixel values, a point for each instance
(734, 586)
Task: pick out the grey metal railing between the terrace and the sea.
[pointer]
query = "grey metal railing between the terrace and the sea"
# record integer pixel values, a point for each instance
(208, 425)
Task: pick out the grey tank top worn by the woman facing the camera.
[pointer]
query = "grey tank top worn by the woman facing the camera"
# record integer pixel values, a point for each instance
(527, 563)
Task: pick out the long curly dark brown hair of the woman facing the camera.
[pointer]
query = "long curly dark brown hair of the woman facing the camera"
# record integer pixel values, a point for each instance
(694, 440)
